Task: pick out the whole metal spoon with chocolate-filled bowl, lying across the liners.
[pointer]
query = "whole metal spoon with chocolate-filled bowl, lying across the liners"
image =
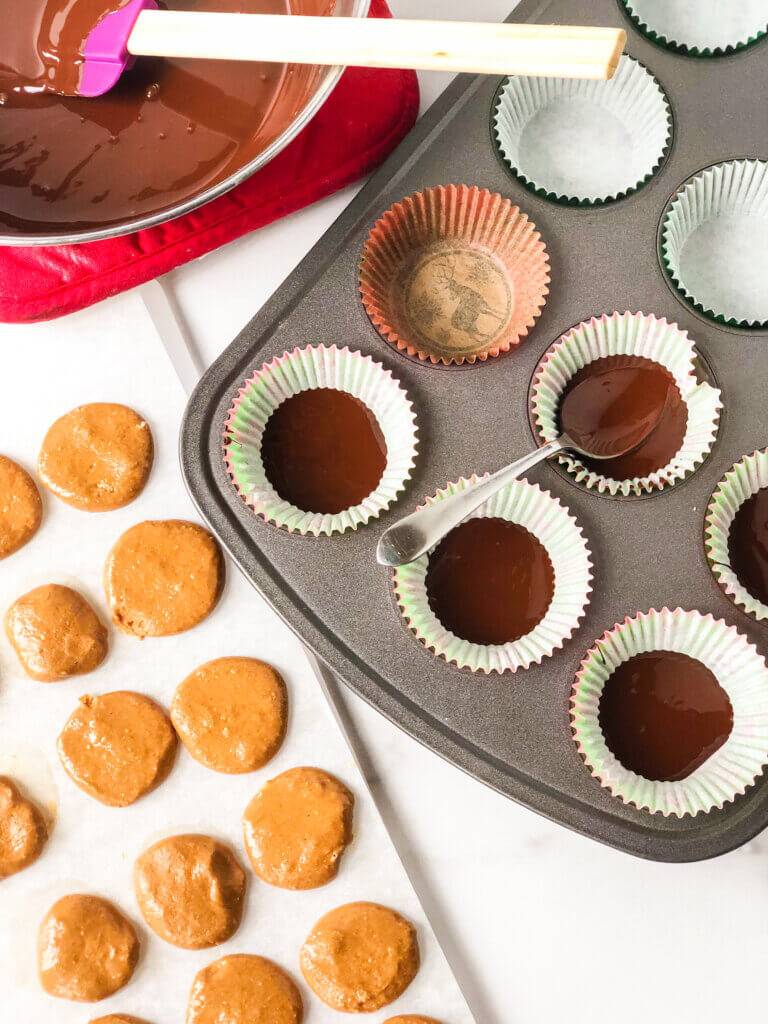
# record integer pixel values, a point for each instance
(605, 416)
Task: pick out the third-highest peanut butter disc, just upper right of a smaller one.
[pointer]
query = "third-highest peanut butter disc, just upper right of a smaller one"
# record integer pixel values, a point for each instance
(163, 577)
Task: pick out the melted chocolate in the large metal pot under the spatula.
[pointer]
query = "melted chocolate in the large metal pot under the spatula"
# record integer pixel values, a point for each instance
(168, 131)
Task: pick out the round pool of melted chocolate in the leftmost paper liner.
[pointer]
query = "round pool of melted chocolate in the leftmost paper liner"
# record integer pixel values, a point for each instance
(323, 451)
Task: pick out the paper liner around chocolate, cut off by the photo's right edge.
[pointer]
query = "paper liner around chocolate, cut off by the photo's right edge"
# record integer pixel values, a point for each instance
(741, 483)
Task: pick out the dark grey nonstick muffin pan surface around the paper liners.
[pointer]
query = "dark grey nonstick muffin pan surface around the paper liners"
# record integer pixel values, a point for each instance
(514, 731)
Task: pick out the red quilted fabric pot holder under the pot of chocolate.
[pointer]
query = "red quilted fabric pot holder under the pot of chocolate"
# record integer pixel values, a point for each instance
(361, 123)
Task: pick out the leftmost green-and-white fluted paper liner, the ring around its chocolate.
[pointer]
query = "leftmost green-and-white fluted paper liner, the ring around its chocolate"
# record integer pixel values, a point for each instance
(303, 370)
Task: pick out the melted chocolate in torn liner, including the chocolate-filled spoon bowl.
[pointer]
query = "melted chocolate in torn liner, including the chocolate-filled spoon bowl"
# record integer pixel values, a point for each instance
(614, 402)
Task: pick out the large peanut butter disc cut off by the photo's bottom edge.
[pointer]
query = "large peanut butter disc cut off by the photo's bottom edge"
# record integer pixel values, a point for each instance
(244, 990)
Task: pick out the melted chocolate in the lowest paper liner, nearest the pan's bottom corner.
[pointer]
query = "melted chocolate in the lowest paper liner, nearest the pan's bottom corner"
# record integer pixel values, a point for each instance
(664, 714)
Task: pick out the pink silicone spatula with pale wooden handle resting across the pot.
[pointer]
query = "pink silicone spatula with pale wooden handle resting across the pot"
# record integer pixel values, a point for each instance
(140, 29)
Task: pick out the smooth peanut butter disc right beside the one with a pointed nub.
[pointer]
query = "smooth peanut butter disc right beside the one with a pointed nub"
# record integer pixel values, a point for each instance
(232, 713)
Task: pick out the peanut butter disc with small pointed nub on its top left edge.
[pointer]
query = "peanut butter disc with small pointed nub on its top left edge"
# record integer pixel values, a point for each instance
(117, 747)
